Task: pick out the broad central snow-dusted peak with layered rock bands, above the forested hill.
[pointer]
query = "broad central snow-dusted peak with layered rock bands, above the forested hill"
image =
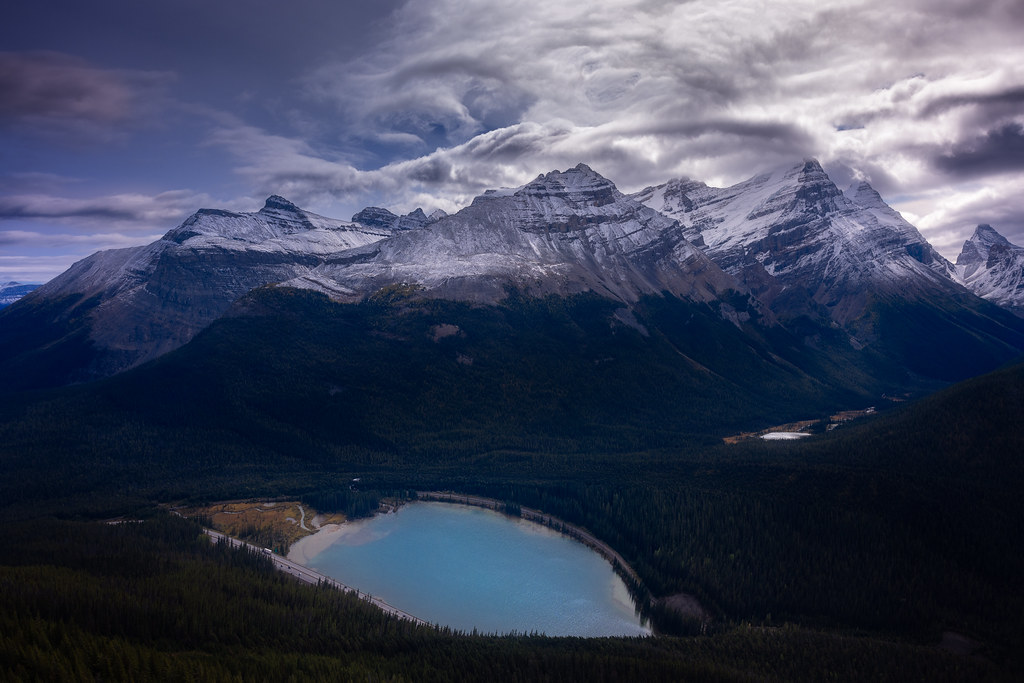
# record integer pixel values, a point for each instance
(564, 233)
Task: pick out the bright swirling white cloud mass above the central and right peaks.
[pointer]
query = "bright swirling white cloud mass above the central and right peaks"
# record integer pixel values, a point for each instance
(644, 92)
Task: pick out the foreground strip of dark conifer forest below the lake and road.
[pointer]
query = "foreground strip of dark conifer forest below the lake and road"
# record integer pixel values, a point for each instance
(157, 601)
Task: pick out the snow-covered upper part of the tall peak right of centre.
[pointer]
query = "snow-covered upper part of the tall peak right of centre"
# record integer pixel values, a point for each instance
(794, 219)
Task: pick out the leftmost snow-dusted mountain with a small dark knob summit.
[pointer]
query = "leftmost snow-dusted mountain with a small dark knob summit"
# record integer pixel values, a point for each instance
(156, 297)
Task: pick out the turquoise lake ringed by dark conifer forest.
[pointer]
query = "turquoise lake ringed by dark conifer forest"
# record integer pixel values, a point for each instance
(474, 569)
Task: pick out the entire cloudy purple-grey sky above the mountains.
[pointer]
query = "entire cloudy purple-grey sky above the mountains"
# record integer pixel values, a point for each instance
(120, 118)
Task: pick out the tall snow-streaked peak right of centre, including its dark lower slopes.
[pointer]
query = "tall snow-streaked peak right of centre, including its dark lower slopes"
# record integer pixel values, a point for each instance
(793, 228)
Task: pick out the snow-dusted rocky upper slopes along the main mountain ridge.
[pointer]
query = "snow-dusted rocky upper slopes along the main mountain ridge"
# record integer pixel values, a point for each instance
(792, 223)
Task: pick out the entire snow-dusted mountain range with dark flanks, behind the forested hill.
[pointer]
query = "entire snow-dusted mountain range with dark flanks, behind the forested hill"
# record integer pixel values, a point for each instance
(785, 251)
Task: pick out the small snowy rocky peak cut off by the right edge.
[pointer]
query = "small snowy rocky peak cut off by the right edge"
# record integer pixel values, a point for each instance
(993, 268)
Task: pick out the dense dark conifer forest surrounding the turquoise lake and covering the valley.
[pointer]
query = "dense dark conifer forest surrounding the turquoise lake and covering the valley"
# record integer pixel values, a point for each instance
(847, 556)
